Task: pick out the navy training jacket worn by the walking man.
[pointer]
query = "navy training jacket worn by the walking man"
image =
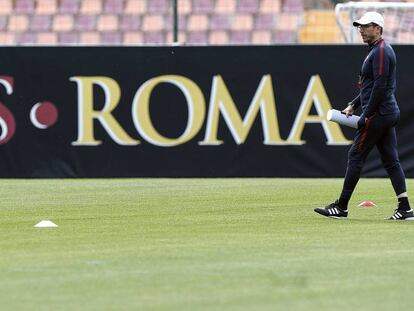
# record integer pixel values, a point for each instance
(377, 81)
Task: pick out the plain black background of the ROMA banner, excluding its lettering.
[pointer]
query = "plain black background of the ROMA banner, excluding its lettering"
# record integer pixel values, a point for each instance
(42, 74)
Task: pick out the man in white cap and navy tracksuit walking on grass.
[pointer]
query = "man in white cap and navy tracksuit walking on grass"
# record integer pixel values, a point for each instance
(376, 127)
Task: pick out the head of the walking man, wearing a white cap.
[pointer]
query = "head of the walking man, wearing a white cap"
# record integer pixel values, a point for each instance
(370, 25)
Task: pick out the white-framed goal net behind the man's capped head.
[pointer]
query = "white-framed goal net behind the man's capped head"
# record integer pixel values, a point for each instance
(398, 20)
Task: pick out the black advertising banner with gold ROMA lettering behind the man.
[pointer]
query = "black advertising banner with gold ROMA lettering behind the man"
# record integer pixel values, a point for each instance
(240, 111)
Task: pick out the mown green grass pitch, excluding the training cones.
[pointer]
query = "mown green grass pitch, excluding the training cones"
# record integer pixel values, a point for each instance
(201, 244)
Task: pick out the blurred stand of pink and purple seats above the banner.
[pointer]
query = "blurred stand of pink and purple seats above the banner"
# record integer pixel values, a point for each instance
(138, 22)
